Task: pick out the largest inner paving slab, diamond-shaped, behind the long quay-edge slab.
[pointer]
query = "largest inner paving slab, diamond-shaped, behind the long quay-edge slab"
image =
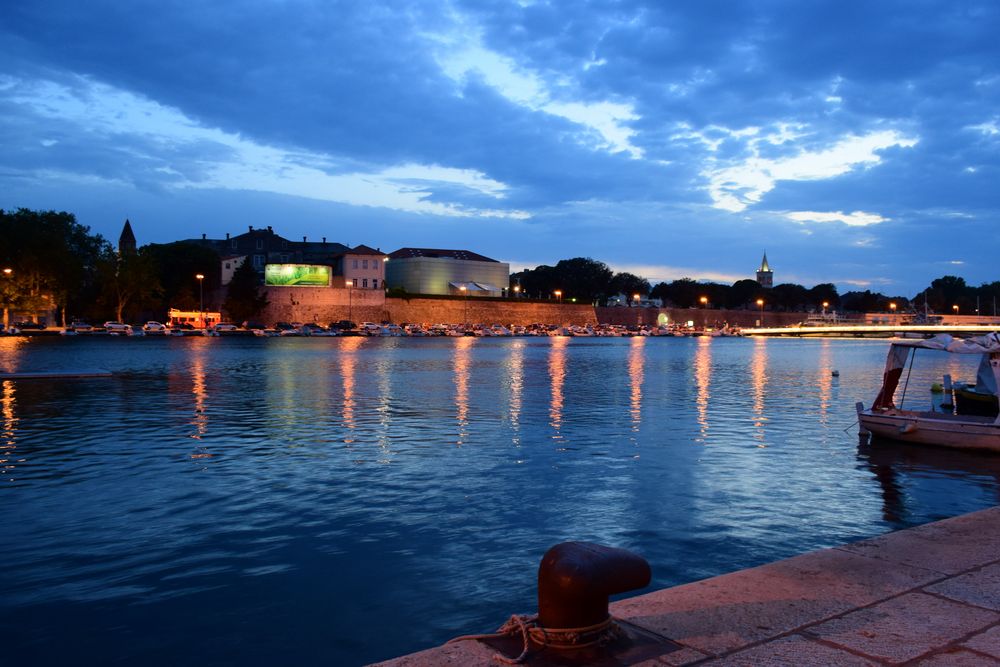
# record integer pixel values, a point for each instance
(905, 627)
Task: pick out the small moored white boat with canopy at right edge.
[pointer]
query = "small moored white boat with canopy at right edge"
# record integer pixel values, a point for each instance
(946, 428)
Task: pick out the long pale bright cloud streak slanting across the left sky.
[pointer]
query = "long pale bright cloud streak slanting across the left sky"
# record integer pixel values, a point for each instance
(223, 160)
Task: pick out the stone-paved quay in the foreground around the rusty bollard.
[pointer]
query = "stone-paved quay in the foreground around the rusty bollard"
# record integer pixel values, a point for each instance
(925, 596)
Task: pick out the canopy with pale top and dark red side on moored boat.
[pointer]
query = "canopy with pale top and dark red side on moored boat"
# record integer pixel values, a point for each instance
(989, 369)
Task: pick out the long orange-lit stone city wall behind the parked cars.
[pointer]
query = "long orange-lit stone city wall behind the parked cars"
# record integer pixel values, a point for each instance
(325, 305)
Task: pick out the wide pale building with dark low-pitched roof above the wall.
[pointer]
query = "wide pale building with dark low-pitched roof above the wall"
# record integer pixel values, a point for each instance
(435, 271)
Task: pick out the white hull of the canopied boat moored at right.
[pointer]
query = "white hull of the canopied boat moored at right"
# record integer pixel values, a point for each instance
(926, 429)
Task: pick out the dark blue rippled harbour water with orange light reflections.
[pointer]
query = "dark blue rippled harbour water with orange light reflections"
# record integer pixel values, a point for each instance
(345, 500)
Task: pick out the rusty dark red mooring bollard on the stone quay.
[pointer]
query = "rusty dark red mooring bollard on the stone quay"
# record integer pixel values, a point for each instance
(576, 578)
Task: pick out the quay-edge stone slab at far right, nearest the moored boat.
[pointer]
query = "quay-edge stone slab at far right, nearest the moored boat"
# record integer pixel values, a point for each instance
(950, 546)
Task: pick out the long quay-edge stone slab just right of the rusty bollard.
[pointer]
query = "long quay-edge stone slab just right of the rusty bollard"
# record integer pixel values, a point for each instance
(735, 610)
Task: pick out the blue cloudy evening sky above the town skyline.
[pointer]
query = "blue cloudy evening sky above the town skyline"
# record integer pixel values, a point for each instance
(856, 142)
